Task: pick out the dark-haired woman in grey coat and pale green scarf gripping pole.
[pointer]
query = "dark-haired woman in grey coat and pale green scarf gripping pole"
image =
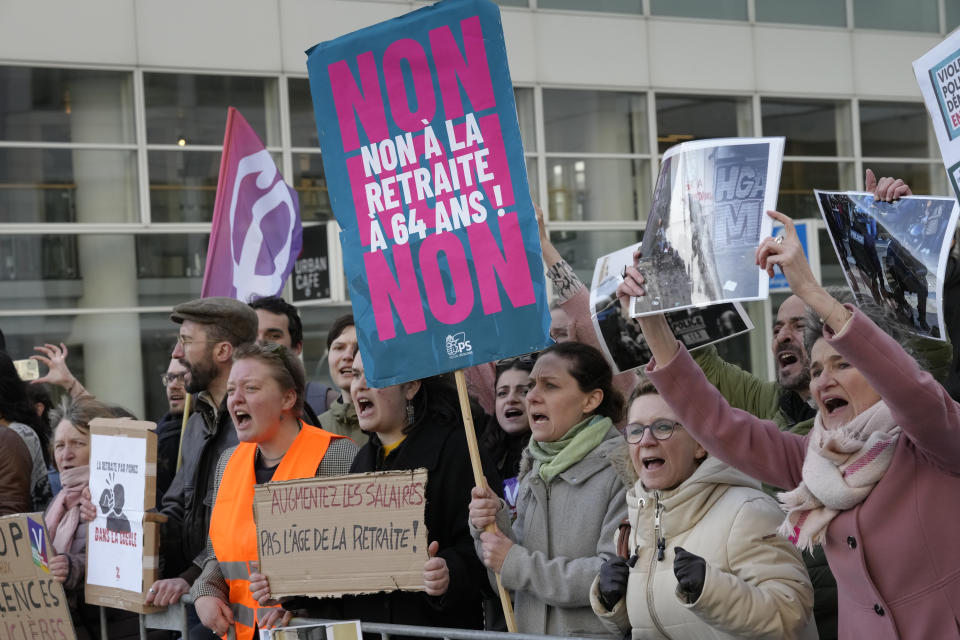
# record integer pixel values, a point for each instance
(570, 499)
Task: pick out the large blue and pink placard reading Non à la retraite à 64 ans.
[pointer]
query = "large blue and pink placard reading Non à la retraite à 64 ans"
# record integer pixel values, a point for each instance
(425, 169)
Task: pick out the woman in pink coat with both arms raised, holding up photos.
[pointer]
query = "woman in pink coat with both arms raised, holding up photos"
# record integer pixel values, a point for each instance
(877, 480)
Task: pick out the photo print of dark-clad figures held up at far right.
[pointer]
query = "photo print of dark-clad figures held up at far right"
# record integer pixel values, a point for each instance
(894, 253)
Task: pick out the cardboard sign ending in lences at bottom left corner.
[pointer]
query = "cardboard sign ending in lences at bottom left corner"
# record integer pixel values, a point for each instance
(32, 603)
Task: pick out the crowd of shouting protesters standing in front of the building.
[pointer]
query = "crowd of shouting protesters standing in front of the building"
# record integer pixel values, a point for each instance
(602, 517)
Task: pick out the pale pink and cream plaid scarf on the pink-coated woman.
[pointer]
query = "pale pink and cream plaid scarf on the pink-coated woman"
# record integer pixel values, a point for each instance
(840, 469)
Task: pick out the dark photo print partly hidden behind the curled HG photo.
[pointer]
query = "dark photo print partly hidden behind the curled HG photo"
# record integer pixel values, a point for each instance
(622, 341)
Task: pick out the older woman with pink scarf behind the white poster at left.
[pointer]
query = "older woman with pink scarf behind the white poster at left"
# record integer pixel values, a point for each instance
(71, 453)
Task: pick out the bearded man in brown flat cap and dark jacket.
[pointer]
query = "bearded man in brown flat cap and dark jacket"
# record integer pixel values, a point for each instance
(210, 330)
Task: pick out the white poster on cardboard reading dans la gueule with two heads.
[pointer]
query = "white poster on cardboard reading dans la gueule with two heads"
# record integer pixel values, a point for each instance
(122, 542)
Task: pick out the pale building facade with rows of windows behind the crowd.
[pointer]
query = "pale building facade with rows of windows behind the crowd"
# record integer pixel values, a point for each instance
(108, 170)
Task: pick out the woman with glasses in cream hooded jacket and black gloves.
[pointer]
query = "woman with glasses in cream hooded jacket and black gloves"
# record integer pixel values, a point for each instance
(704, 557)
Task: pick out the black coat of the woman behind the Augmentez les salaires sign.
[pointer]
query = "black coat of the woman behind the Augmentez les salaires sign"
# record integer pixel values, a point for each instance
(442, 450)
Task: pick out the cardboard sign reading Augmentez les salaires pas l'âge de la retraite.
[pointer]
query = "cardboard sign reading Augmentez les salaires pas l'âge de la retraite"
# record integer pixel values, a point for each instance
(358, 533)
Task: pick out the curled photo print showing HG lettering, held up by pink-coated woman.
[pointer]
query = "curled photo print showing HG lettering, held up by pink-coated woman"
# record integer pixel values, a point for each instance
(706, 221)
